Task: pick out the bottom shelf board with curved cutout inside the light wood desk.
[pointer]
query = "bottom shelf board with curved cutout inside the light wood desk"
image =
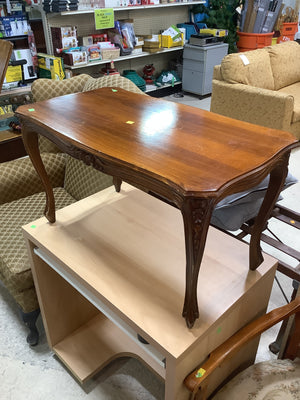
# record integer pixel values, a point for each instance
(87, 350)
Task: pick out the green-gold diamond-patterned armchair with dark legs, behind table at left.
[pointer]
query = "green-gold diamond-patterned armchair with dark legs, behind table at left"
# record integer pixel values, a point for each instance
(22, 197)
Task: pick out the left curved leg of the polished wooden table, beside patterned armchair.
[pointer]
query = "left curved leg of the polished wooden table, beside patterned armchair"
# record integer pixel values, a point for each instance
(31, 144)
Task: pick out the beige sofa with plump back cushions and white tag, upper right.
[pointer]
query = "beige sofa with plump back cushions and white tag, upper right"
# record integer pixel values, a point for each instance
(260, 86)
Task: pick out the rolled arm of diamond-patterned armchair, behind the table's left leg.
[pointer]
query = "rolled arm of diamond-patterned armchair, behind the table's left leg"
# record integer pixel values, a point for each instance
(18, 178)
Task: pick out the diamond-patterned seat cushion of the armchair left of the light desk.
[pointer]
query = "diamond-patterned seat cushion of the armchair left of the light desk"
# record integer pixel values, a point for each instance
(14, 263)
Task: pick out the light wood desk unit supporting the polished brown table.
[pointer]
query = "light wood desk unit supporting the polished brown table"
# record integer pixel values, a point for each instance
(112, 267)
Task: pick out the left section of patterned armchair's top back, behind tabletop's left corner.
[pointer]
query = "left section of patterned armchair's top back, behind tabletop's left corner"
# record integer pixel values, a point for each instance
(44, 89)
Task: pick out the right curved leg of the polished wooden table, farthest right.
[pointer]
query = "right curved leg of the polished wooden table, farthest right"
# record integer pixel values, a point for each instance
(277, 179)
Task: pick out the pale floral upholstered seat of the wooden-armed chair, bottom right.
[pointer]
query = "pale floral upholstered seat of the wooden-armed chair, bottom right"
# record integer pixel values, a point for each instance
(268, 380)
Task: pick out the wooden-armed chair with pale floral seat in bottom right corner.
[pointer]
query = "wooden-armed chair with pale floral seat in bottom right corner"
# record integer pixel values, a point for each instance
(268, 380)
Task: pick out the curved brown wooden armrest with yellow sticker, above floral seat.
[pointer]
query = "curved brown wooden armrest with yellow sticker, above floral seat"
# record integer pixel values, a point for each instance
(231, 346)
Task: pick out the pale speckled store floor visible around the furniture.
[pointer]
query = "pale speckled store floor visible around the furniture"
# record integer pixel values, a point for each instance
(37, 374)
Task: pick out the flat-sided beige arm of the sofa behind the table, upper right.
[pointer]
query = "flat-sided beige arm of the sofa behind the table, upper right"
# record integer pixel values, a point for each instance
(255, 105)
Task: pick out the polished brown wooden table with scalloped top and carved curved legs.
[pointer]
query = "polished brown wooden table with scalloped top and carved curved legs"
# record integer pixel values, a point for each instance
(188, 157)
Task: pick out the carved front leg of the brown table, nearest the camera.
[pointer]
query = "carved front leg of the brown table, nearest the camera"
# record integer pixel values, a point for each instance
(196, 217)
